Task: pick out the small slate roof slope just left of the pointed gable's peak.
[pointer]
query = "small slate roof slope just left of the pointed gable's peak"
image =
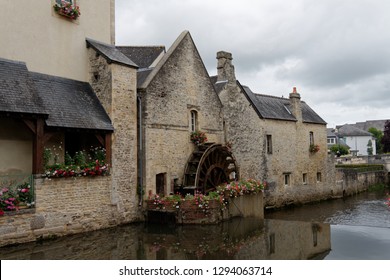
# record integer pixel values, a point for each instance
(144, 57)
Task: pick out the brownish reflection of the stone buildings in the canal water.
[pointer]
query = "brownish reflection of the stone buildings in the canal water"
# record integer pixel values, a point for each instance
(237, 239)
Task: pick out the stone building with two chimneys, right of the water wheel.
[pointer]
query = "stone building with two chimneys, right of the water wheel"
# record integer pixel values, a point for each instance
(280, 140)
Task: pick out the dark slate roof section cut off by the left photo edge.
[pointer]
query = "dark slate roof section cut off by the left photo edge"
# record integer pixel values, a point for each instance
(17, 90)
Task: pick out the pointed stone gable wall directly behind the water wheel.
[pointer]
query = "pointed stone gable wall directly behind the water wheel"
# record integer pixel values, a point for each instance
(182, 84)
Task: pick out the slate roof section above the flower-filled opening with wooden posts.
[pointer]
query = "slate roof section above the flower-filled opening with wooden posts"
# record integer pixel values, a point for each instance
(71, 104)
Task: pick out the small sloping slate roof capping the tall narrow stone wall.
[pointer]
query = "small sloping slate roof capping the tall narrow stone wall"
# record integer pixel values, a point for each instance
(111, 53)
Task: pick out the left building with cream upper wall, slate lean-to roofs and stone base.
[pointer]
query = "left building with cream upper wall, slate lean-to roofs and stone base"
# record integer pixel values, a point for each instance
(59, 89)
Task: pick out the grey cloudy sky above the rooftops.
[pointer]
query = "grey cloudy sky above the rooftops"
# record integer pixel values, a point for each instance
(336, 52)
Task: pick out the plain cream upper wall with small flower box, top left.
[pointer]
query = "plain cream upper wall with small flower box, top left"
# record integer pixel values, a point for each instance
(32, 32)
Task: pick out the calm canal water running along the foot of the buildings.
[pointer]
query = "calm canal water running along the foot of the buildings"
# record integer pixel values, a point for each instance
(357, 227)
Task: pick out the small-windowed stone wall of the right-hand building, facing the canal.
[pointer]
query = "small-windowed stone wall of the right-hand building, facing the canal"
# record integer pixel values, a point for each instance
(290, 155)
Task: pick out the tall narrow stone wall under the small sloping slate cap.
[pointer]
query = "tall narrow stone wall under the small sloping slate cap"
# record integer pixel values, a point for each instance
(115, 86)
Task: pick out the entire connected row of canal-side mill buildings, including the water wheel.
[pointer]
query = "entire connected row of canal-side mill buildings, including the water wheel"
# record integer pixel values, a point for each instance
(71, 87)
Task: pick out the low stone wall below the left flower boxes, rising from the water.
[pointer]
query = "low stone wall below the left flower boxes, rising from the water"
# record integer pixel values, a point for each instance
(63, 206)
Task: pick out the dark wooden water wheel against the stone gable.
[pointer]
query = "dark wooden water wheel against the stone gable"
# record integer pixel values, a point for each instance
(209, 166)
